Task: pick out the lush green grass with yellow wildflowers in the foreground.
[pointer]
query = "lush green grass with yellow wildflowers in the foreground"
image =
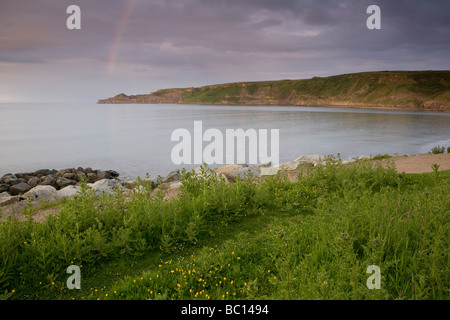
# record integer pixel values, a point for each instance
(311, 239)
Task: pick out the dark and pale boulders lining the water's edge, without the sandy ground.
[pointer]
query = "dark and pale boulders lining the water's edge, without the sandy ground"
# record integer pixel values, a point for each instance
(53, 185)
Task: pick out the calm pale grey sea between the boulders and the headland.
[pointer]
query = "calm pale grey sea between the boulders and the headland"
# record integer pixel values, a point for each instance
(135, 139)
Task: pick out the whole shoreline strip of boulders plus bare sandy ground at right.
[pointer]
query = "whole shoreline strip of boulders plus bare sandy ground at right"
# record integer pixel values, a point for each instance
(108, 181)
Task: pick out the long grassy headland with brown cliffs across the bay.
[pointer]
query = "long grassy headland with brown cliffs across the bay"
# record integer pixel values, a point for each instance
(423, 90)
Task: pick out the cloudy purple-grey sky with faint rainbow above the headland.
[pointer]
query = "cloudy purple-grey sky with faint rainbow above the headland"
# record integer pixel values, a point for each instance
(139, 46)
